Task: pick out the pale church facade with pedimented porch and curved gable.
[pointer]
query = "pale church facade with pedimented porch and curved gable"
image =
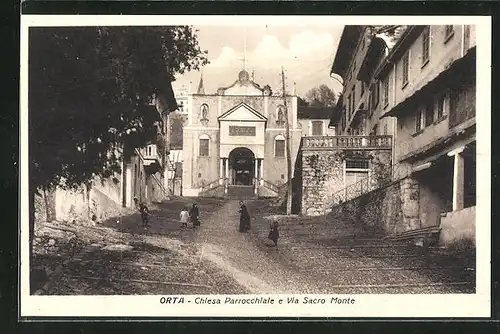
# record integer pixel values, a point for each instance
(236, 138)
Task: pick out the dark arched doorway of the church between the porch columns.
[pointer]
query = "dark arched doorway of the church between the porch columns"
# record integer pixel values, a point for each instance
(241, 164)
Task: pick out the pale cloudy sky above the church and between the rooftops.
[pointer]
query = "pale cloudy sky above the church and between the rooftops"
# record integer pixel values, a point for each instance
(306, 52)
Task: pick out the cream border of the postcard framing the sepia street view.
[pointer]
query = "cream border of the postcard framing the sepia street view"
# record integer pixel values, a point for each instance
(414, 306)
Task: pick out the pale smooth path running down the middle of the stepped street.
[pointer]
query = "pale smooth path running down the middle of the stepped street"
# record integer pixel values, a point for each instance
(254, 267)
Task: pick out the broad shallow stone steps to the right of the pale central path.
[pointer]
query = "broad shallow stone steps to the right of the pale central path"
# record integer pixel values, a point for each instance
(346, 259)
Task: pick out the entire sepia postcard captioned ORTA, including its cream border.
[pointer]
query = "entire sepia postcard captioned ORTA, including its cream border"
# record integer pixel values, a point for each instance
(255, 166)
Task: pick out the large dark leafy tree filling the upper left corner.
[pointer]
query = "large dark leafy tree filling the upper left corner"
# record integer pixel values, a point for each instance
(90, 90)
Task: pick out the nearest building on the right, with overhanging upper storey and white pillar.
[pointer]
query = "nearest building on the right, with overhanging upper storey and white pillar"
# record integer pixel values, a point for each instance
(434, 71)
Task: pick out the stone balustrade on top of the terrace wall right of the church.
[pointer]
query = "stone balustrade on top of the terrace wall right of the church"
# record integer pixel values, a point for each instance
(346, 141)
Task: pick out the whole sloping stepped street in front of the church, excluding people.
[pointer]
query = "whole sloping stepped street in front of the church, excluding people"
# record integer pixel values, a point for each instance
(315, 255)
